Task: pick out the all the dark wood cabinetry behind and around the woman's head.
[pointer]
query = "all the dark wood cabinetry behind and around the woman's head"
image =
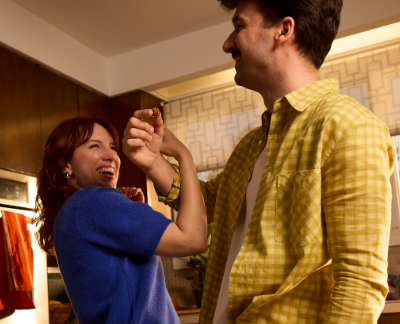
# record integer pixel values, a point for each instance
(34, 100)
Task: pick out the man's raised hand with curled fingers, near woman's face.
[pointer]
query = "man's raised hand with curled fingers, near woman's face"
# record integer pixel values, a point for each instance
(142, 142)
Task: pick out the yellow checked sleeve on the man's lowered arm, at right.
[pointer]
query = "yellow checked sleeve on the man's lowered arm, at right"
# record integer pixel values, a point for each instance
(356, 200)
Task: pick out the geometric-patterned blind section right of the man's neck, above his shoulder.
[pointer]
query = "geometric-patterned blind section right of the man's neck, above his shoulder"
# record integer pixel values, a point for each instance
(373, 78)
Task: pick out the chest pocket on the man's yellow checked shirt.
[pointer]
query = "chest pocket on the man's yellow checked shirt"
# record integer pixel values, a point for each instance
(298, 208)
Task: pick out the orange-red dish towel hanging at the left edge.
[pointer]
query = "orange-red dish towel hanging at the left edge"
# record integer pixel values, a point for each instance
(16, 262)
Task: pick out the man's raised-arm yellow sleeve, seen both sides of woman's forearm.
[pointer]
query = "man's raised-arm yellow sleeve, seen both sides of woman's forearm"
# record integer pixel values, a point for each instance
(208, 189)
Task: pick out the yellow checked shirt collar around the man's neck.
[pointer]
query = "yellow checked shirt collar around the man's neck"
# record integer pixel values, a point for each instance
(302, 98)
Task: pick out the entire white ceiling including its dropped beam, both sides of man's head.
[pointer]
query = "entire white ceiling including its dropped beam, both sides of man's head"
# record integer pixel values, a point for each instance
(117, 46)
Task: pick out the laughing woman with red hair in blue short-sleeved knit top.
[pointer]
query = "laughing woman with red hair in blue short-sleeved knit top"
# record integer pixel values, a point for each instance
(107, 245)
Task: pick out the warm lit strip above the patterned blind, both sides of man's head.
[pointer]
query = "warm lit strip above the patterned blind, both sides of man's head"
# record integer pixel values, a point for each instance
(220, 79)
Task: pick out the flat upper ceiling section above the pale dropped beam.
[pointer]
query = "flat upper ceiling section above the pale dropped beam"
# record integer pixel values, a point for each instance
(113, 27)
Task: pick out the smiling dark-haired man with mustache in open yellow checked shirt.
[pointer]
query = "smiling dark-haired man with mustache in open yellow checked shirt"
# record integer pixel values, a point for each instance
(301, 212)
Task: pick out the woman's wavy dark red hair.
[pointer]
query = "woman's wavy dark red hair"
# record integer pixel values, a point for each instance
(52, 185)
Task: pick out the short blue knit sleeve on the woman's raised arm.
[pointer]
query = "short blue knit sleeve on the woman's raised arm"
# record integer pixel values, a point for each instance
(105, 217)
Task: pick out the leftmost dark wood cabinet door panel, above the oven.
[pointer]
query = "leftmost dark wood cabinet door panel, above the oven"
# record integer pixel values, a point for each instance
(20, 138)
